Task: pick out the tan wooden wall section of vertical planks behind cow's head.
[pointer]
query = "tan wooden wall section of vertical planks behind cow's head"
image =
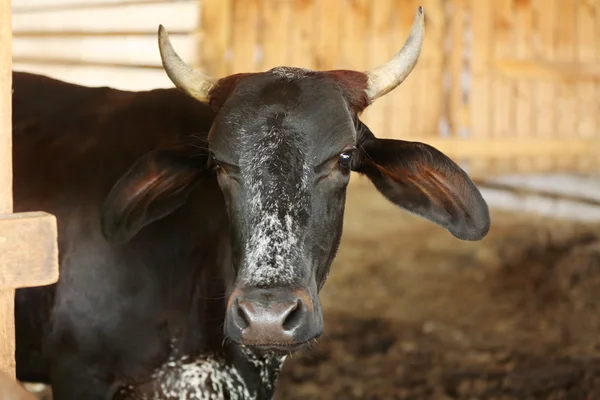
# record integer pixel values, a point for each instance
(502, 85)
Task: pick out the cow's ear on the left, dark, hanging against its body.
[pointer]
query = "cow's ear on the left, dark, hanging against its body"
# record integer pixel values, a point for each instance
(153, 187)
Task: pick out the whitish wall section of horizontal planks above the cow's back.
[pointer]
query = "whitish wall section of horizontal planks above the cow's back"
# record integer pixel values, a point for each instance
(102, 42)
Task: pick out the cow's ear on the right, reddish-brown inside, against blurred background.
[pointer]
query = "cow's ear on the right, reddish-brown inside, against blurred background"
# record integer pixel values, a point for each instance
(424, 181)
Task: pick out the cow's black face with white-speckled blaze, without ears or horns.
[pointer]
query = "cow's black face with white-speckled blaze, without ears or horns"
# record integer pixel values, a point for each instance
(283, 146)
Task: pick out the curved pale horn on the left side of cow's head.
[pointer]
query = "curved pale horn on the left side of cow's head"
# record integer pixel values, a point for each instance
(193, 82)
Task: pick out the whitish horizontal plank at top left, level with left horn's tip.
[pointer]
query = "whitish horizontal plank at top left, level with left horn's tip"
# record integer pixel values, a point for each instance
(174, 16)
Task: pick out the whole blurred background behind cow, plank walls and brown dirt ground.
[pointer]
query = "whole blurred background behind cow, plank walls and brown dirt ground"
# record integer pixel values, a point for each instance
(510, 89)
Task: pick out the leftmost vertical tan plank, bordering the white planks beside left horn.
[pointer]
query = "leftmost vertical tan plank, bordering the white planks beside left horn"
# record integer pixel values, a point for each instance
(215, 52)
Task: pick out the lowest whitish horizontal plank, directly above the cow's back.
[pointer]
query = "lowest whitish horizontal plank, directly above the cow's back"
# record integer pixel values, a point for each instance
(120, 78)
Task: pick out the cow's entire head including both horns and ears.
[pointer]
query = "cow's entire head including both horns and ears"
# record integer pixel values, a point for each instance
(283, 145)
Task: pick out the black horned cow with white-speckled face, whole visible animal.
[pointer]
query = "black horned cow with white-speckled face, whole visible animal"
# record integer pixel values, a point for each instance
(197, 224)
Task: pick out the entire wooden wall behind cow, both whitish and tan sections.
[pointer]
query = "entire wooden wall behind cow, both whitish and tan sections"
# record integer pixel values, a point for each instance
(502, 85)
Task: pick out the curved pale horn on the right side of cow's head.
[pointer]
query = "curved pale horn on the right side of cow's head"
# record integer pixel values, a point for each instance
(388, 76)
